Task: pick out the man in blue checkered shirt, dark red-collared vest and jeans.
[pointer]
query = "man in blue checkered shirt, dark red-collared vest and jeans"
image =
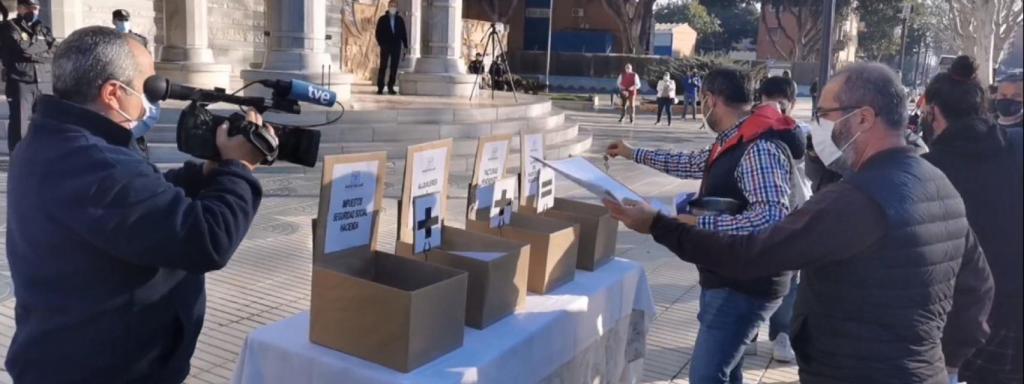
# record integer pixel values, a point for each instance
(752, 162)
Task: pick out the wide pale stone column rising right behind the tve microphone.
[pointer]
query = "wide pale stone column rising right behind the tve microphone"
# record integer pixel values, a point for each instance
(296, 48)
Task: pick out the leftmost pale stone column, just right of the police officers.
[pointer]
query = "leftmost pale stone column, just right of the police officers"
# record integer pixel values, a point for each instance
(187, 57)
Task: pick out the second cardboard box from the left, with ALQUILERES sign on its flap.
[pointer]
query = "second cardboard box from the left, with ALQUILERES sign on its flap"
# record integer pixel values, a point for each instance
(498, 269)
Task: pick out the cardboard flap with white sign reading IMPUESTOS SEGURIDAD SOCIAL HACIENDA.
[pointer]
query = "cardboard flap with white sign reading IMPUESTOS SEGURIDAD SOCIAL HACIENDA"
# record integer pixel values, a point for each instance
(351, 195)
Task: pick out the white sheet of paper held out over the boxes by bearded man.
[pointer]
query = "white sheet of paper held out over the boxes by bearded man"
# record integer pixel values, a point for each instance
(596, 182)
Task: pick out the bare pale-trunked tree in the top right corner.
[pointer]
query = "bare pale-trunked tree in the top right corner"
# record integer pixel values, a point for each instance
(983, 28)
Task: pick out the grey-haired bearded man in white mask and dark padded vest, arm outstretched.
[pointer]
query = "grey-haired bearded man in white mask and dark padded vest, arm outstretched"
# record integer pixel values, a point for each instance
(887, 259)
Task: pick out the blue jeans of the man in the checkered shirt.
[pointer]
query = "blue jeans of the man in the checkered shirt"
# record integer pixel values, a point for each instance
(729, 321)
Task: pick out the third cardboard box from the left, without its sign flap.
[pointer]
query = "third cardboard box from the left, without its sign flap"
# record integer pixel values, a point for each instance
(553, 247)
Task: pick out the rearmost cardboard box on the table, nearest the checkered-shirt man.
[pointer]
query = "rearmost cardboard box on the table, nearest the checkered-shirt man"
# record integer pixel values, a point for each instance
(599, 232)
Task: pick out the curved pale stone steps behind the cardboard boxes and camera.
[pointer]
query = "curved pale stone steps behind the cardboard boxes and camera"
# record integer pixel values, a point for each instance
(393, 123)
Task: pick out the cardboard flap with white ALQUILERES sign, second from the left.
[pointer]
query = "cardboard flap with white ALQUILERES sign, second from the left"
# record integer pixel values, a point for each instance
(426, 175)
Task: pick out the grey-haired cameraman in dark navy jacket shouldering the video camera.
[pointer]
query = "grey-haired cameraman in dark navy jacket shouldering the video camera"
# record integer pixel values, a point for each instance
(108, 255)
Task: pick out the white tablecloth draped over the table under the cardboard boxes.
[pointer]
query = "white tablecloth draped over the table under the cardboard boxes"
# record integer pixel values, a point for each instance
(543, 336)
